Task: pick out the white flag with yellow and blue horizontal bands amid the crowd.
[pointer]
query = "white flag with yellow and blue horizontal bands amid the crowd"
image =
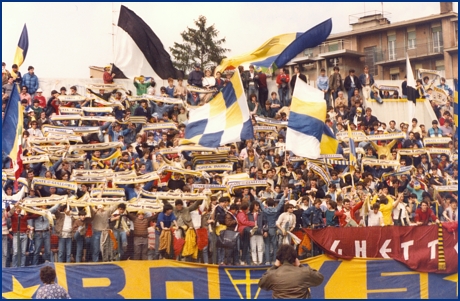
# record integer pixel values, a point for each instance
(307, 135)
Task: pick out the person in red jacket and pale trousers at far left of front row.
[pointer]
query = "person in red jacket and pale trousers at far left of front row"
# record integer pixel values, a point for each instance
(19, 226)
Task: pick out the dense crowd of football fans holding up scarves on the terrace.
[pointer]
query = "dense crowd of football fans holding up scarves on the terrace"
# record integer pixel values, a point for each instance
(265, 217)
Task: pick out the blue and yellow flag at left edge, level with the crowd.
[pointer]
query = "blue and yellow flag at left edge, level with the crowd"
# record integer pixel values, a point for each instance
(12, 130)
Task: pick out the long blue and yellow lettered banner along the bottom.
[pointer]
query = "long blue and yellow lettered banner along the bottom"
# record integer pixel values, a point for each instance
(160, 279)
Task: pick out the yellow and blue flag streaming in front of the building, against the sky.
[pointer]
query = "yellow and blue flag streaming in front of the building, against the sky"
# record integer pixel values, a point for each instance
(279, 50)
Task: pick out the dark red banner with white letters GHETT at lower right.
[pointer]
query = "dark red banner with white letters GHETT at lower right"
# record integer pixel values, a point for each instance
(416, 246)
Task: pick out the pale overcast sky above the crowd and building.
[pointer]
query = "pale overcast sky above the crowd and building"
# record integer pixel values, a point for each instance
(66, 38)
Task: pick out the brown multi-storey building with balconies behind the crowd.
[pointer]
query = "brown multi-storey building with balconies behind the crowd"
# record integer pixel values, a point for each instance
(431, 43)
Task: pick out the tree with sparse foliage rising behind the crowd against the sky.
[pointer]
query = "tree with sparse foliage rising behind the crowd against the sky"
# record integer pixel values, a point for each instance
(200, 45)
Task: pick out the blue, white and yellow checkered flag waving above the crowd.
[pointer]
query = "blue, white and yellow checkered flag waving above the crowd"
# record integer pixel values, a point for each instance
(225, 119)
